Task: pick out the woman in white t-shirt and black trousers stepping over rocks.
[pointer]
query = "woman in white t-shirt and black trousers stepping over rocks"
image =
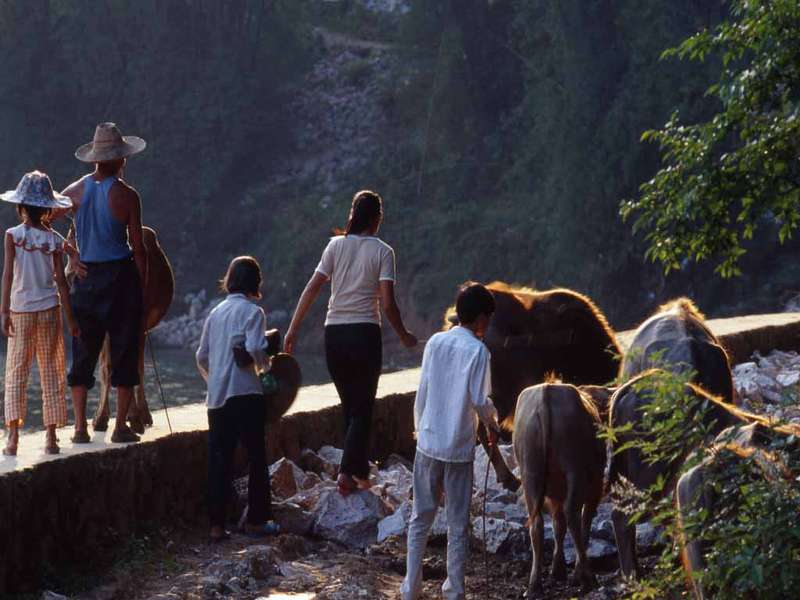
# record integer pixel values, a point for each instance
(361, 269)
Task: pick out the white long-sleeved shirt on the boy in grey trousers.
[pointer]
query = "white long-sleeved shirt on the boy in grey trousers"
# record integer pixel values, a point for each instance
(453, 394)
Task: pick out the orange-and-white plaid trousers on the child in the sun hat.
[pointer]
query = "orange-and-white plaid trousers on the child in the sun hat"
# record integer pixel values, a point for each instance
(40, 335)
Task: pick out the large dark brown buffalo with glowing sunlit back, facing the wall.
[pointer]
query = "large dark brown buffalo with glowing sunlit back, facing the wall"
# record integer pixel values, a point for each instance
(534, 334)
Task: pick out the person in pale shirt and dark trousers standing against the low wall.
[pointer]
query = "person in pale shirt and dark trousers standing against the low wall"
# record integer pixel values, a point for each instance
(235, 399)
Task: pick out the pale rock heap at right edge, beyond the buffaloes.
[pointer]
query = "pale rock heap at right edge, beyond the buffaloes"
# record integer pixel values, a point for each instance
(770, 385)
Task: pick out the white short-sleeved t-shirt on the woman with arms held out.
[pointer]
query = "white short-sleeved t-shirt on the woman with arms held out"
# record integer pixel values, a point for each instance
(355, 264)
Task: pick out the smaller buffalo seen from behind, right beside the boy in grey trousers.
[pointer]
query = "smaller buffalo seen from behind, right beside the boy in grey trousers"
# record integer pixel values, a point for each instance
(562, 461)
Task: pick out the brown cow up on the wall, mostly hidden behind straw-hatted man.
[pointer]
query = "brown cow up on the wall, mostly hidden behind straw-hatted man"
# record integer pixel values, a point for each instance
(158, 293)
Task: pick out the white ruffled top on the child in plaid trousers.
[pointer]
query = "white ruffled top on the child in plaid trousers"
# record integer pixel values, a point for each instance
(34, 287)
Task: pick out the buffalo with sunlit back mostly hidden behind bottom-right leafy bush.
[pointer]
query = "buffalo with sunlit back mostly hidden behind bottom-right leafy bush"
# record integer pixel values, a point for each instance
(695, 491)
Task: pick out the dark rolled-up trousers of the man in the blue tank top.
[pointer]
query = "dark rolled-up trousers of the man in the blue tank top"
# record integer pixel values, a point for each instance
(107, 301)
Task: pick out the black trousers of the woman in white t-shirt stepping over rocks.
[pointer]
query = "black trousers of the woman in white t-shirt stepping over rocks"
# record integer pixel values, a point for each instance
(354, 354)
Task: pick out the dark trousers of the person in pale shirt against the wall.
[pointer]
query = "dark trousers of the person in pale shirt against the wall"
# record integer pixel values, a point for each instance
(241, 417)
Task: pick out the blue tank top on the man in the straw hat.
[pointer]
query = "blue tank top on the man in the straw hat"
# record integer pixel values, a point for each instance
(101, 237)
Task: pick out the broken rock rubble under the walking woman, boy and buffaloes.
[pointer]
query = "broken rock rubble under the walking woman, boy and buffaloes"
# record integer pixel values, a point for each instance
(306, 502)
